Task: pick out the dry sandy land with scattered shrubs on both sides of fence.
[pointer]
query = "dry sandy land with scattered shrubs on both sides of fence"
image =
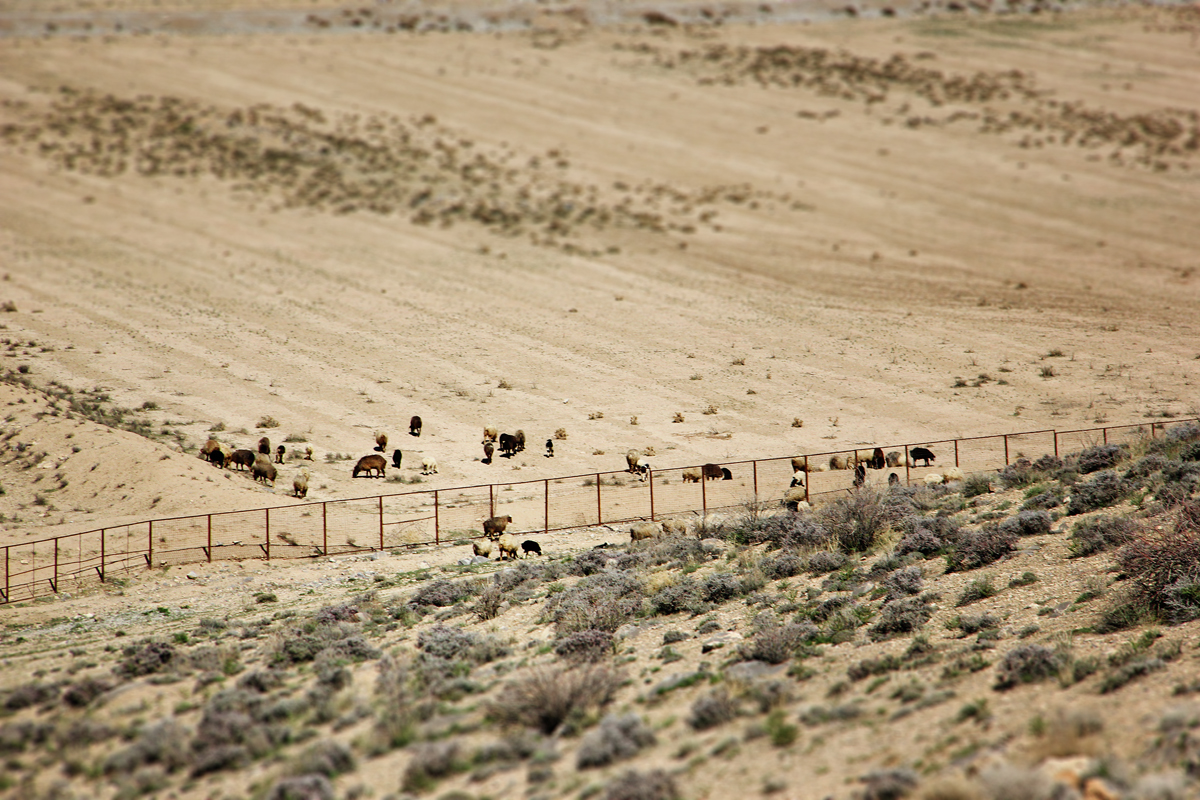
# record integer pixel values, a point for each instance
(711, 233)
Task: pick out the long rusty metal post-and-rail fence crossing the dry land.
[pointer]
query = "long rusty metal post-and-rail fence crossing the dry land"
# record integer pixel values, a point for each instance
(439, 516)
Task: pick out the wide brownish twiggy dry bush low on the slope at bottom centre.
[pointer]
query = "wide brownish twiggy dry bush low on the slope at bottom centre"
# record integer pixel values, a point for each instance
(547, 697)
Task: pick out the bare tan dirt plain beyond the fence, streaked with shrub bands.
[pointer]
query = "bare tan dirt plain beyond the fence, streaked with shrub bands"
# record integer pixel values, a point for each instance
(895, 228)
